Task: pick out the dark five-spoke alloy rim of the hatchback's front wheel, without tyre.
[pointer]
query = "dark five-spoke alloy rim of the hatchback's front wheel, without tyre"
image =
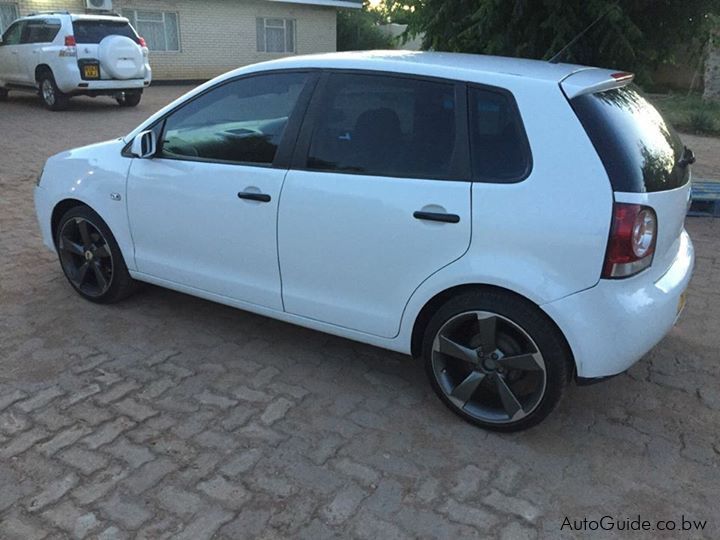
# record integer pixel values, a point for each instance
(85, 256)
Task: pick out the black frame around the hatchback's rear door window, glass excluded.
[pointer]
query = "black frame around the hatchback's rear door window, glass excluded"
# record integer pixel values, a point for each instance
(460, 168)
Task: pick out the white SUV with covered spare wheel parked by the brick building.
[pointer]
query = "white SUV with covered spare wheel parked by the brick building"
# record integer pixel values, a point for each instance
(63, 55)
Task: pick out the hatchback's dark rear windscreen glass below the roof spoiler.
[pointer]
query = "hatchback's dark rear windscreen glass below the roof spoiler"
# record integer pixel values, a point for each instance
(640, 150)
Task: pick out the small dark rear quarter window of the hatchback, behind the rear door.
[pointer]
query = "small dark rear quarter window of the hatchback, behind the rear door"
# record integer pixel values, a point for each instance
(498, 145)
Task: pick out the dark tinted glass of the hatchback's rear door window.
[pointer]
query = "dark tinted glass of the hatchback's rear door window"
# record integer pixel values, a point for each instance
(386, 126)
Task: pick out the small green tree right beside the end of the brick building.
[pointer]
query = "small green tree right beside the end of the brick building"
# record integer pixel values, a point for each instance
(357, 30)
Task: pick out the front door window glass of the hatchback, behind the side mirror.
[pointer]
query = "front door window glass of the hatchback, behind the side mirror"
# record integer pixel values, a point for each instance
(242, 121)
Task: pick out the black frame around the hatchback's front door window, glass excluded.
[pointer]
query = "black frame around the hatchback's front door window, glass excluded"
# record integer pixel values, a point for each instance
(289, 138)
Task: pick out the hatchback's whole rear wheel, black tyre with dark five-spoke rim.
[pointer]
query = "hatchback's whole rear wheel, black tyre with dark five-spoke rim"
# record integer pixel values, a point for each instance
(512, 364)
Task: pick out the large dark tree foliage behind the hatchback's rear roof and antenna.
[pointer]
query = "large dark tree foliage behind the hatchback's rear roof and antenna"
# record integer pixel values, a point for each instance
(633, 34)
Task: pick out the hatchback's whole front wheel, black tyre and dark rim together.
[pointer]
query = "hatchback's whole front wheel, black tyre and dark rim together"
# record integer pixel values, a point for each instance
(91, 258)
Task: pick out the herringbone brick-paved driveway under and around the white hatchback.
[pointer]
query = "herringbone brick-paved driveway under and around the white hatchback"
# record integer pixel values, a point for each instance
(170, 416)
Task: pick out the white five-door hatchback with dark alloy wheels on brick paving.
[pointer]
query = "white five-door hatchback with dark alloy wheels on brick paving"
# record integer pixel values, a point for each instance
(514, 223)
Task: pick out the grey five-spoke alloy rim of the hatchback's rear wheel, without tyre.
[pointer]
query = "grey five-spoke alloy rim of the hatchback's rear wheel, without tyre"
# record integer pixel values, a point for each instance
(489, 367)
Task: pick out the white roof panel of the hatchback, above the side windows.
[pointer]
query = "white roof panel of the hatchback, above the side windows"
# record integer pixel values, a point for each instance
(420, 62)
